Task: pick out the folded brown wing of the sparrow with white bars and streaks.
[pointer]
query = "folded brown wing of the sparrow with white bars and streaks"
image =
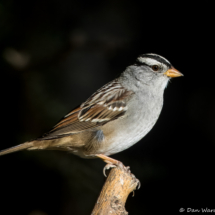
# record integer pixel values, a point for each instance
(107, 104)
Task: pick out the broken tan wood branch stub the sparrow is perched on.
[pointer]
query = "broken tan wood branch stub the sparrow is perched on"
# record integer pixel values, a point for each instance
(115, 193)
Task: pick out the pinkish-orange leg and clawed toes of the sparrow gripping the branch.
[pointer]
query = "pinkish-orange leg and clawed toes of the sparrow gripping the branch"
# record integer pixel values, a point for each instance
(112, 163)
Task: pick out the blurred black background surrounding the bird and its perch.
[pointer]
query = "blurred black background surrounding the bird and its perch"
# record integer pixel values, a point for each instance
(55, 54)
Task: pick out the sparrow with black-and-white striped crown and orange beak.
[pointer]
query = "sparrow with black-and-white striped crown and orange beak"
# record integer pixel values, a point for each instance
(115, 117)
